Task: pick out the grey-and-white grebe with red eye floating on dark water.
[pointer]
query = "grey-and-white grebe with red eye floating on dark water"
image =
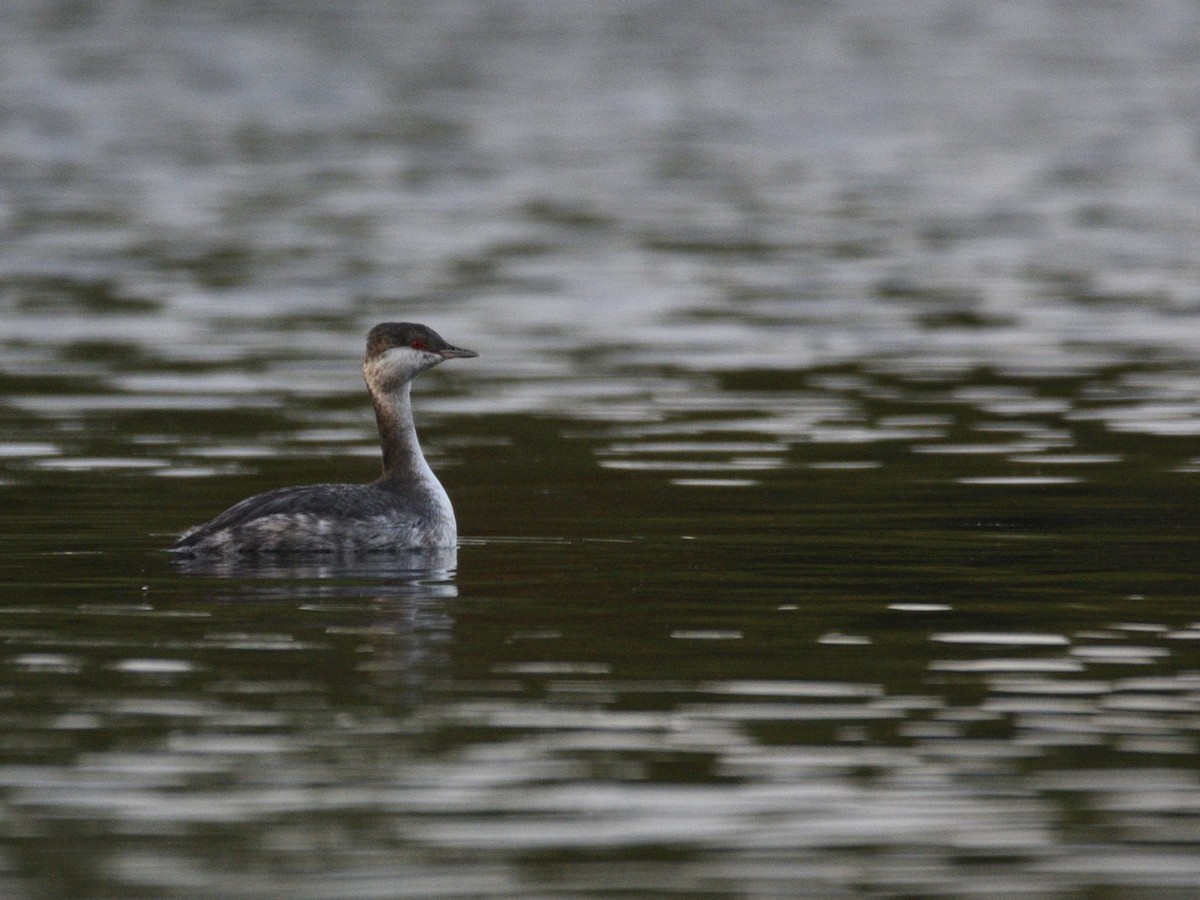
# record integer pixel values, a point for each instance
(405, 509)
